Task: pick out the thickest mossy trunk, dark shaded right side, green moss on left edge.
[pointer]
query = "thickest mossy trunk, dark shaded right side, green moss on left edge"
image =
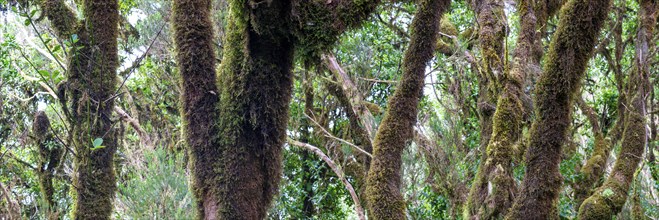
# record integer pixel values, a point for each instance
(256, 88)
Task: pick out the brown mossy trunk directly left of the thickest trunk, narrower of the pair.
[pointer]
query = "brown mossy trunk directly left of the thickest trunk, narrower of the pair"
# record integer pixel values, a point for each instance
(195, 58)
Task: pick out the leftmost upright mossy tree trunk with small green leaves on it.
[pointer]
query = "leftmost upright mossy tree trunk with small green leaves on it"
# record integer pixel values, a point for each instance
(90, 94)
